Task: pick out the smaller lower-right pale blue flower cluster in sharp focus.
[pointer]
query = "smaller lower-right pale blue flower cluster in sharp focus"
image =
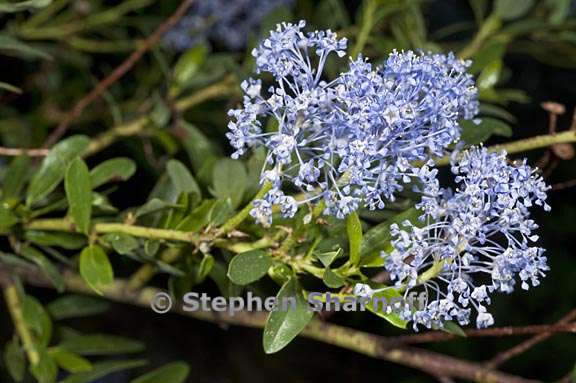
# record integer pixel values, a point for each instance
(471, 242)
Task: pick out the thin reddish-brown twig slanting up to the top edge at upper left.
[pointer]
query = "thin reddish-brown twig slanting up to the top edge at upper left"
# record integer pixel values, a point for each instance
(118, 73)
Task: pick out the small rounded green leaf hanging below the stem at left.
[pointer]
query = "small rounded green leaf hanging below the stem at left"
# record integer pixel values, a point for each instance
(95, 267)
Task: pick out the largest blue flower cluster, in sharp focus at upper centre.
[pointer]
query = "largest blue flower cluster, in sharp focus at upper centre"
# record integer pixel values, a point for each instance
(353, 140)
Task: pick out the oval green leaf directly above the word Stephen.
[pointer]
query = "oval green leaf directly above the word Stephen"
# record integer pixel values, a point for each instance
(249, 267)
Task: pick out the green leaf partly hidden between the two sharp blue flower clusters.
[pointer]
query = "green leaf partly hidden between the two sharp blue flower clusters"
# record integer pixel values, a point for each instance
(378, 237)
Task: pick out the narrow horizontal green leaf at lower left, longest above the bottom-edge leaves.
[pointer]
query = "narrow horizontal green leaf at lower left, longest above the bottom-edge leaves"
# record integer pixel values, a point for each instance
(101, 344)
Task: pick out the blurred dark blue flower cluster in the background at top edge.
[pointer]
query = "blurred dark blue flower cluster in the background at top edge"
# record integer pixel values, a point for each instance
(226, 22)
